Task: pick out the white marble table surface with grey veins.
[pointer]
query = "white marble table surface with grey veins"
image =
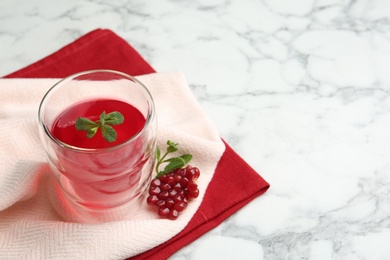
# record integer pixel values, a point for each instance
(300, 89)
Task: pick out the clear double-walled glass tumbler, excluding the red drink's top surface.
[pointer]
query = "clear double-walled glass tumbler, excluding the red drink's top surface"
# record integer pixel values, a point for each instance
(99, 184)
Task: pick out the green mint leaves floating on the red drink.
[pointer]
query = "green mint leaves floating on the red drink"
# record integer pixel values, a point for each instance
(105, 123)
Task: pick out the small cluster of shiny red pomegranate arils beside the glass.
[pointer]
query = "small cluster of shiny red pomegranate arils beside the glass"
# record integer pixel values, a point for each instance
(172, 191)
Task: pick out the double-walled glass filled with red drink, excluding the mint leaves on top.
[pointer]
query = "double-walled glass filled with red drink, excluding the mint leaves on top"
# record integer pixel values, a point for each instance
(99, 178)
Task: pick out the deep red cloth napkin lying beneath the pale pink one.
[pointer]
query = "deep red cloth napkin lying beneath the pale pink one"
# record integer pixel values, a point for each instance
(234, 183)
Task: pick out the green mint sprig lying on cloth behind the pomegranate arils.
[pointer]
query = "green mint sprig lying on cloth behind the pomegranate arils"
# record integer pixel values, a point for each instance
(173, 163)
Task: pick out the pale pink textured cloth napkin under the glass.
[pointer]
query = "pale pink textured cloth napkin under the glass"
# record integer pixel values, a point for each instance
(28, 187)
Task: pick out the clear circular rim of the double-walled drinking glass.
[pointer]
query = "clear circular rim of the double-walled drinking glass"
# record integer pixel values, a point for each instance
(148, 120)
